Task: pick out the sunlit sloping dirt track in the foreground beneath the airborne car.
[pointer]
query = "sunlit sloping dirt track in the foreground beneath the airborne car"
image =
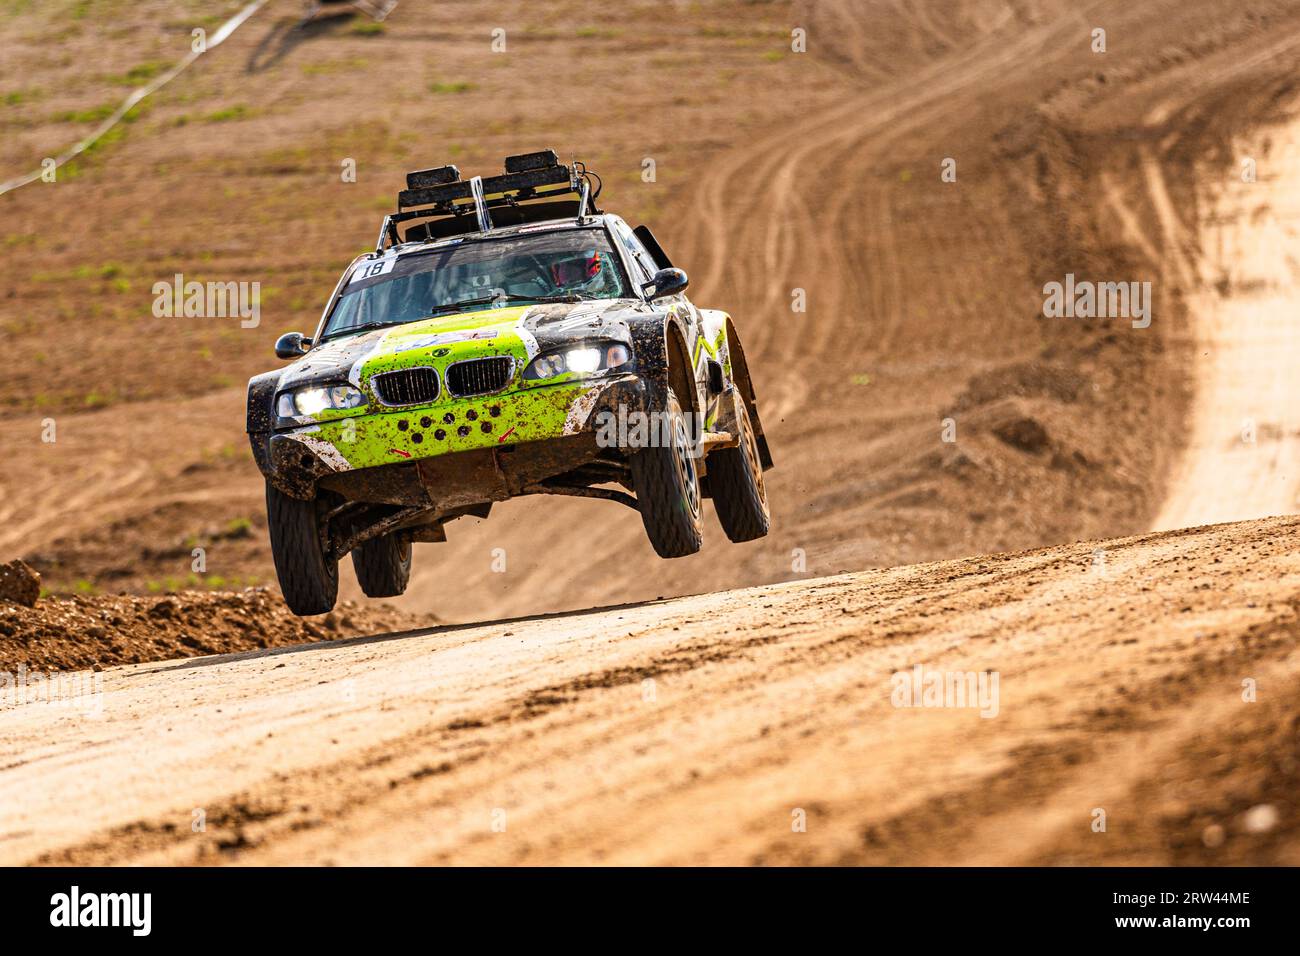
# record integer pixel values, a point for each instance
(692, 730)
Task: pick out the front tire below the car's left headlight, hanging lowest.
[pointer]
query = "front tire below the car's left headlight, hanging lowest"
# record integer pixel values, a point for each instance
(309, 578)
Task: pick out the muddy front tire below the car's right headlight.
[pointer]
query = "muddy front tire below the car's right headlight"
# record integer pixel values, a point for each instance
(668, 487)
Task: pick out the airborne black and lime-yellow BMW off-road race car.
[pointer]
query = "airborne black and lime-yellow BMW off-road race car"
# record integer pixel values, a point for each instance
(504, 339)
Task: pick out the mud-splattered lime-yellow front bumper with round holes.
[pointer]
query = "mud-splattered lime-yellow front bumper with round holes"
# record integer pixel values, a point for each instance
(298, 458)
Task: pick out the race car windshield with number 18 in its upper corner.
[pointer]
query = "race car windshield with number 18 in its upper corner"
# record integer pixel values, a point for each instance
(565, 265)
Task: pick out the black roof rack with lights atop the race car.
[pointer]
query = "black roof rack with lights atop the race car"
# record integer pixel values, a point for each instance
(535, 188)
